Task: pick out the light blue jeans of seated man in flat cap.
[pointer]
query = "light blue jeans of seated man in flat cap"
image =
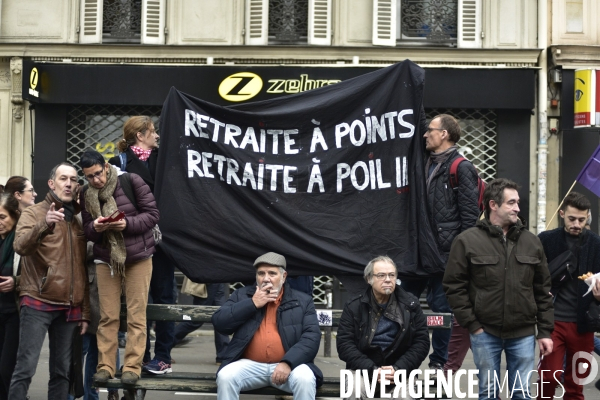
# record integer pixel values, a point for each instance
(246, 374)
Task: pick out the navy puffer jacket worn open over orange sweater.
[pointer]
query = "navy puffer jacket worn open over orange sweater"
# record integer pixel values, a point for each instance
(296, 322)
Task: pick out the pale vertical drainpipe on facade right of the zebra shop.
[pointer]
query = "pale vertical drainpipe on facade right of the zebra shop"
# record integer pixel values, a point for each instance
(542, 147)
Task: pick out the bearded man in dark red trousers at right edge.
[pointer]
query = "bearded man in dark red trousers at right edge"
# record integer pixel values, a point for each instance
(571, 332)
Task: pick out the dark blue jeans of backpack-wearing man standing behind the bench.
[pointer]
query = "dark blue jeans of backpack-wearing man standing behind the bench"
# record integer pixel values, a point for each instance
(436, 298)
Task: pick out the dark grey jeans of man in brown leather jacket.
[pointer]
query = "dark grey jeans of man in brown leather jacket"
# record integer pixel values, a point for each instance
(34, 325)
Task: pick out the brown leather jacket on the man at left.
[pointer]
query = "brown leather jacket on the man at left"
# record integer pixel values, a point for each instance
(53, 261)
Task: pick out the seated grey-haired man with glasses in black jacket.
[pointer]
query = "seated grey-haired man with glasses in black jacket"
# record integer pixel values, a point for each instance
(384, 329)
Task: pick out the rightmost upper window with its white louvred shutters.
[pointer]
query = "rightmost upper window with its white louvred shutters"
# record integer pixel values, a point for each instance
(455, 23)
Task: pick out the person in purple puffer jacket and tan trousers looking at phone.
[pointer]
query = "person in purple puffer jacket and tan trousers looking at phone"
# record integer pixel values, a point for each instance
(122, 252)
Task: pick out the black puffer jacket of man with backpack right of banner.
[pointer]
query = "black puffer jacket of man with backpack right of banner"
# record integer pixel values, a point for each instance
(453, 210)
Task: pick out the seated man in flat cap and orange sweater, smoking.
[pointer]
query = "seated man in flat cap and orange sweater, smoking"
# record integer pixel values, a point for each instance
(276, 336)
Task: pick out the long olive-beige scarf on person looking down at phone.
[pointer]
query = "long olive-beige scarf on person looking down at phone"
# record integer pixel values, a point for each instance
(93, 198)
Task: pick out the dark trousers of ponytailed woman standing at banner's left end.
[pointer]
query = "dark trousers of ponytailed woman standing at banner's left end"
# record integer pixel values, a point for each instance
(161, 292)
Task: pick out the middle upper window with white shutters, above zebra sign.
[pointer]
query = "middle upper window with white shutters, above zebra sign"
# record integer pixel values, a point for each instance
(288, 22)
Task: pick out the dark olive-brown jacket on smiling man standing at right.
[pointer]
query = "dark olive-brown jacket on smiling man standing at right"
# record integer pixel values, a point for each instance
(498, 283)
